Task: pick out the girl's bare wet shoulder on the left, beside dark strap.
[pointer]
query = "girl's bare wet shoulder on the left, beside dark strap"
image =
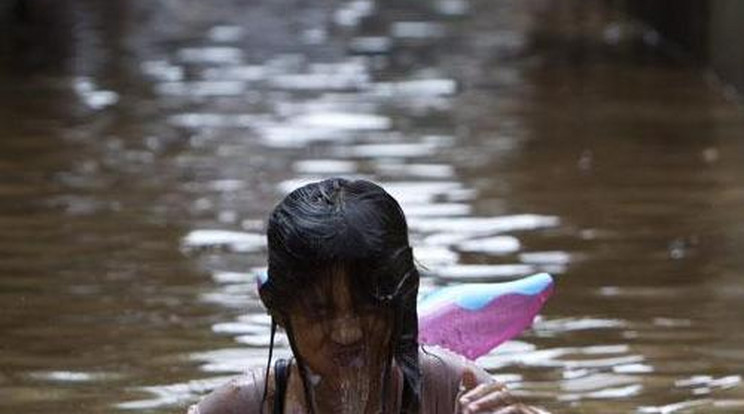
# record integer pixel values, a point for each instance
(243, 394)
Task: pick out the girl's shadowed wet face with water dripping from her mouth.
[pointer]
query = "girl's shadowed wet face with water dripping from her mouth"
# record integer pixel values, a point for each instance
(336, 334)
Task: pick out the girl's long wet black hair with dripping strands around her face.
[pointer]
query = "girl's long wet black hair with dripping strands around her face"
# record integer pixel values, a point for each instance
(360, 226)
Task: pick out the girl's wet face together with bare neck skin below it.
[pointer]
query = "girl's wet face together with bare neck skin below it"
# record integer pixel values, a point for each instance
(344, 345)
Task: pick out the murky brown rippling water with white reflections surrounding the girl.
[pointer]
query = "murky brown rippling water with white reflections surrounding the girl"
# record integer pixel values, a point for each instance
(143, 143)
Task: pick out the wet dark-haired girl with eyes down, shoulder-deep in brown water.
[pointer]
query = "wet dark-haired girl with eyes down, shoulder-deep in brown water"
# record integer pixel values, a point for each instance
(343, 284)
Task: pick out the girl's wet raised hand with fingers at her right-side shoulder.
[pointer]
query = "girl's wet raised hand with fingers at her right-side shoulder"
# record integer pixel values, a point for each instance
(490, 398)
